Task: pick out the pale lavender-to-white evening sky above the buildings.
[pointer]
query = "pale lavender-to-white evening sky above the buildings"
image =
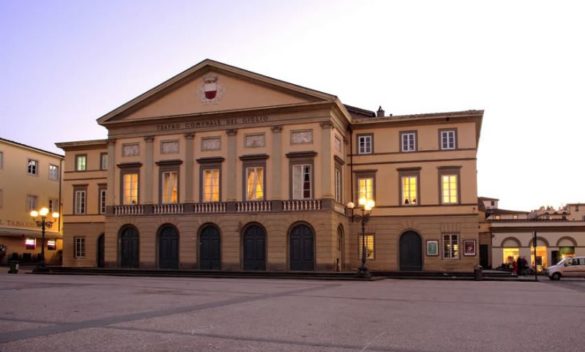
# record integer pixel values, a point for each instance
(63, 64)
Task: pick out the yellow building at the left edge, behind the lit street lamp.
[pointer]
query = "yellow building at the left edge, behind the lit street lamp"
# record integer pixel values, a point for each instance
(30, 178)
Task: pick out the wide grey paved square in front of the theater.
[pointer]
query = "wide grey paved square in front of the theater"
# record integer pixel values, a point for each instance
(104, 313)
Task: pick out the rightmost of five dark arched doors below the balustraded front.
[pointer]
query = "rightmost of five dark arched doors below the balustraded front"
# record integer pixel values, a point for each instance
(302, 253)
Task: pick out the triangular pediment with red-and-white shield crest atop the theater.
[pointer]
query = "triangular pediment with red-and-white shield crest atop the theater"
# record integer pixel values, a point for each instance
(210, 87)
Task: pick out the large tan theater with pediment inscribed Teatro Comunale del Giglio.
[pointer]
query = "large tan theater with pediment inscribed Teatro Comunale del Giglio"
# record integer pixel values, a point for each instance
(219, 168)
